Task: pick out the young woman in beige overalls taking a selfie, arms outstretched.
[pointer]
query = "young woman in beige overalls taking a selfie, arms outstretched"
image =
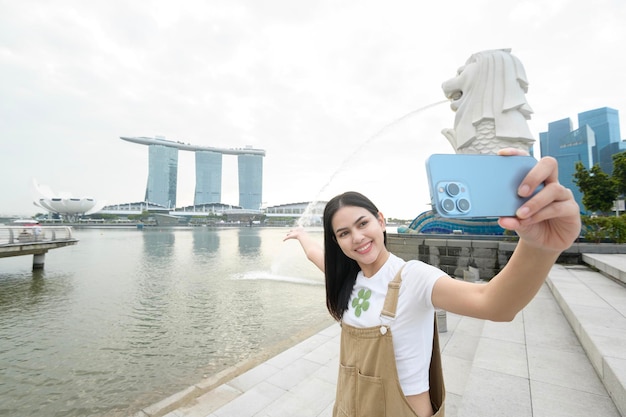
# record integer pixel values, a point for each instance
(381, 374)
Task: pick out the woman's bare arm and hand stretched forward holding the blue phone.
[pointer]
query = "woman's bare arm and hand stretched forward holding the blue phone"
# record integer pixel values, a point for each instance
(547, 224)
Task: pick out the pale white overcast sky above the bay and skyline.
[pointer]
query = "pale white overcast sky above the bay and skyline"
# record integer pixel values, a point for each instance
(323, 86)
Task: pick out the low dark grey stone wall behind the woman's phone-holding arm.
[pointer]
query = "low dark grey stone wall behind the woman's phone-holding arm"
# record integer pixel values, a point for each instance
(453, 254)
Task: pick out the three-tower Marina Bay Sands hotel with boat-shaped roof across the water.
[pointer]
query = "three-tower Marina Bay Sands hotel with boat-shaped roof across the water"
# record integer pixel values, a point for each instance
(163, 172)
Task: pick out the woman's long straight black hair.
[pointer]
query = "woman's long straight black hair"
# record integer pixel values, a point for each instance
(340, 270)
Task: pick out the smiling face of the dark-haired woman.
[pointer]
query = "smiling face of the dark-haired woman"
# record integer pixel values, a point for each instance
(360, 236)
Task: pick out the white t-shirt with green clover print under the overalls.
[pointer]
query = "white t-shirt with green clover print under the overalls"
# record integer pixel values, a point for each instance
(412, 329)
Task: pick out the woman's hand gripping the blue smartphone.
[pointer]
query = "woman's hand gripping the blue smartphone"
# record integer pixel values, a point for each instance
(550, 219)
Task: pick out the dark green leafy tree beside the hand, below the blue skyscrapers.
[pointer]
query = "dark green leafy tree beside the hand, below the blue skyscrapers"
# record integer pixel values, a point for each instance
(598, 188)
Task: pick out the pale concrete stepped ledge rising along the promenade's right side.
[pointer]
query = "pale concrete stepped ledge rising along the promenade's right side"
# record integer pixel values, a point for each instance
(594, 306)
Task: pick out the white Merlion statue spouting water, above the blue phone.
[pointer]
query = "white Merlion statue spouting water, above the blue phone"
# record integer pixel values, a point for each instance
(488, 95)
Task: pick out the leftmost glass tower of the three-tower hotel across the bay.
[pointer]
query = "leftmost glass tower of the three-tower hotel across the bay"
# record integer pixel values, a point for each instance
(162, 175)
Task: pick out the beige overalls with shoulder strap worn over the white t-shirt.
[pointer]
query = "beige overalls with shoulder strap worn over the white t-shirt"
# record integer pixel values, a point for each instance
(368, 384)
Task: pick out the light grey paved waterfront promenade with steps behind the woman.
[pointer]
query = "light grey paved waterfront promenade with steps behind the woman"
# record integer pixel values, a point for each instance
(563, 355)
